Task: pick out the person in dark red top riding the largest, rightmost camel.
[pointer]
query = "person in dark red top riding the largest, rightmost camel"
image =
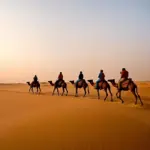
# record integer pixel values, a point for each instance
(124, 76)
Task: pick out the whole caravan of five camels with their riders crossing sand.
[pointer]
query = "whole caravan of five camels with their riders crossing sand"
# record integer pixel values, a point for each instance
(124, 84)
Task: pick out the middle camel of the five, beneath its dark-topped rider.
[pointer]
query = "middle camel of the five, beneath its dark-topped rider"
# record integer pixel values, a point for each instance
(81, 84)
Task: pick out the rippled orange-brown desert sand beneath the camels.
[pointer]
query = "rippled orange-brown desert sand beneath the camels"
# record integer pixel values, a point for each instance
(45, 122)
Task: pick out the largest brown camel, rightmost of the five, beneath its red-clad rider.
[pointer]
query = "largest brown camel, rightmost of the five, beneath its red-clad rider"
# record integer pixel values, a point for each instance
(126, 86)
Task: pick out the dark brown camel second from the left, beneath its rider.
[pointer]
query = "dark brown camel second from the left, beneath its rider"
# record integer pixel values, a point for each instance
(59, 85)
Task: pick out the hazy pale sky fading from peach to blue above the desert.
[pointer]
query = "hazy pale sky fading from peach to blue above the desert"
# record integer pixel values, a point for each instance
(45, 37)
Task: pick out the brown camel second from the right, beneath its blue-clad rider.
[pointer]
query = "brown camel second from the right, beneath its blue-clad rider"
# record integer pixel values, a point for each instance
(102, 86)
